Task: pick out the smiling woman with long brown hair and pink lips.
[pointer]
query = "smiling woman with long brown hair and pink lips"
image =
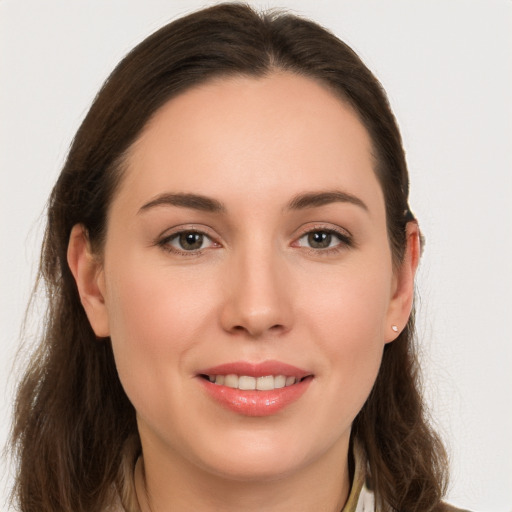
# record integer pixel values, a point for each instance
(230, 261)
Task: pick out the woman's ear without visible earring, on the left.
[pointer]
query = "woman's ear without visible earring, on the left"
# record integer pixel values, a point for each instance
(87, 270)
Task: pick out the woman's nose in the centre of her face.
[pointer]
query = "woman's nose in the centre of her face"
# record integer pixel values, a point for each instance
(257, 295)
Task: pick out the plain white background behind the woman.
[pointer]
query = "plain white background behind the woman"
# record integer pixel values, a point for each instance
(447, 68)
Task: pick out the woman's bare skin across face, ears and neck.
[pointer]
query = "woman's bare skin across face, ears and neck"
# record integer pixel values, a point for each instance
(256, 291)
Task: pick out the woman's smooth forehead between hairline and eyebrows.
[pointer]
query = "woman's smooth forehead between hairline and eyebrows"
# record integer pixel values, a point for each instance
(244, 134)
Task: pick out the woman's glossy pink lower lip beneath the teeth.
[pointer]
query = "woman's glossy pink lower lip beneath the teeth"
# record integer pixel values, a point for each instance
(253, 402)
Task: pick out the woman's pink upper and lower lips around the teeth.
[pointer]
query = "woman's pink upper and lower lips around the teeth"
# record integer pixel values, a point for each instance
(255, 402)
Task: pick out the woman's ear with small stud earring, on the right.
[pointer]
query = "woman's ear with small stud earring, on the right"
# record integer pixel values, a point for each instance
(403, 285)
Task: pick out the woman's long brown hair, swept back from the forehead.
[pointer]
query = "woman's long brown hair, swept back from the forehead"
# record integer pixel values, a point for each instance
(75, 434)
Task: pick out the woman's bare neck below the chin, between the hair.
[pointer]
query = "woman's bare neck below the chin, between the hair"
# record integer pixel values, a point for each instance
(322, 486)
